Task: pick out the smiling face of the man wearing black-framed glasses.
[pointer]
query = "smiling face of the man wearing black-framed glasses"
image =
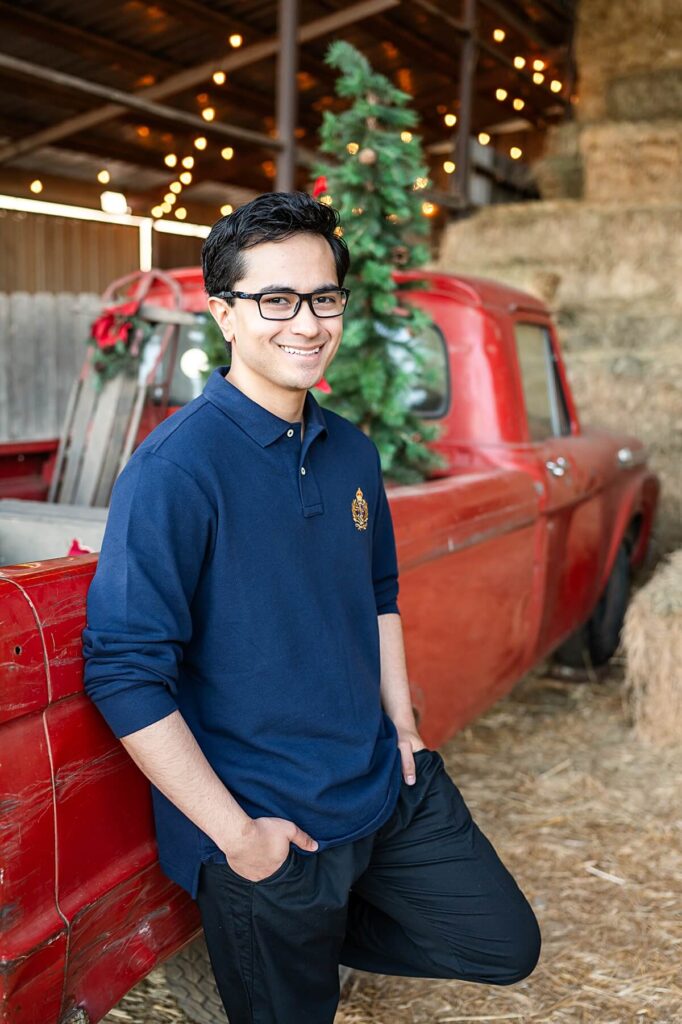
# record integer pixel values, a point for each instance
(303, 264)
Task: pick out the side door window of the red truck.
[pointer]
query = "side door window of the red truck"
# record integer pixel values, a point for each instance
(545, 402)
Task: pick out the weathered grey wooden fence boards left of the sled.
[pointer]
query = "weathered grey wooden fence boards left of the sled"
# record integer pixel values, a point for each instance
(42, 348)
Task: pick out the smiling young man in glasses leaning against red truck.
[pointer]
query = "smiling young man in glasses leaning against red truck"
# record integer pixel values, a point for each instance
(244, 642)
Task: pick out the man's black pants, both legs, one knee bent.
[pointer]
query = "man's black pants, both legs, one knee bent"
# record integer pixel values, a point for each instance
(425, 897)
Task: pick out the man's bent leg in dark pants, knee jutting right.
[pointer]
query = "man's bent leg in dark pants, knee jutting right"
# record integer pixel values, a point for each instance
(436, 901)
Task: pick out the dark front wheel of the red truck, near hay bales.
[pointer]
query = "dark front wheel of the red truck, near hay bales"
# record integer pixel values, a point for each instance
(598, 641)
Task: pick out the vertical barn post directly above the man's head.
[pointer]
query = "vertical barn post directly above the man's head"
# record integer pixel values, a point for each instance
(286, 103)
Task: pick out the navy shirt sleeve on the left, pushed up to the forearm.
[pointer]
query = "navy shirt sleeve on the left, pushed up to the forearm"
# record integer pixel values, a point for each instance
(158, 534)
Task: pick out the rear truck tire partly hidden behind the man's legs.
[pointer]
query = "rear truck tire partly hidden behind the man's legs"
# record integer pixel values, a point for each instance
(190, 980)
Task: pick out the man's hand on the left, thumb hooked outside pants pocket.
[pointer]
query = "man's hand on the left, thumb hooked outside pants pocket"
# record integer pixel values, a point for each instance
(264, 845)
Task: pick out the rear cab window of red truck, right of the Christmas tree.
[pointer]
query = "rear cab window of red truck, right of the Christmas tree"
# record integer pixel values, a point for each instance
(430, 383)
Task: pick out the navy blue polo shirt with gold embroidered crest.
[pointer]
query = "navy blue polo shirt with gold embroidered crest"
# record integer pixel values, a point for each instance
(240, 580)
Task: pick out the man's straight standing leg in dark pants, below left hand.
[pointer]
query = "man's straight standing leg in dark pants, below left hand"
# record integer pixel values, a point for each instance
(275, 945)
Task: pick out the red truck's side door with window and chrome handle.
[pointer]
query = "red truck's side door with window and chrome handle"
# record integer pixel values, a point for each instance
(571, 504)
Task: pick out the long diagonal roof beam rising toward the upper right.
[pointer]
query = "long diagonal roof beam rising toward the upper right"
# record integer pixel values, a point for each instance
(193, 76)
